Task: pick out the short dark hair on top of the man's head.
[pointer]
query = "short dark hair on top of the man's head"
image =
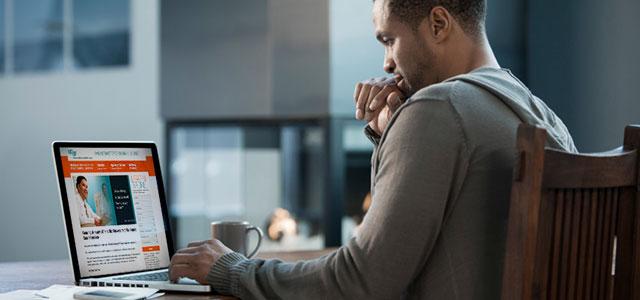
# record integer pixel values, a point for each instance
(471, 14)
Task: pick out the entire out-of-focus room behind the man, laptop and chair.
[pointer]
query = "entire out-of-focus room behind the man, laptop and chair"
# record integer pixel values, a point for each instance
(250, 102)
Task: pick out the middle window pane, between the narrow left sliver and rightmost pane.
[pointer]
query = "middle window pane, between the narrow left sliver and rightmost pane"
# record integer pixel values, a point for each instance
(38, 30)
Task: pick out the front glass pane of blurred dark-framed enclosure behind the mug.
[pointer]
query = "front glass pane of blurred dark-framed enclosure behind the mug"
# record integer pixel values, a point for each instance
(268, 175)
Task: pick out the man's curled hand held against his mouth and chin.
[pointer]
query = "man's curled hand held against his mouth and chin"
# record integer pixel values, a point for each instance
(376, 101)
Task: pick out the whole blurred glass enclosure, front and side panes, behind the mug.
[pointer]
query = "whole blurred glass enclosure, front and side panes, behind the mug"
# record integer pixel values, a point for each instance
(305, 184)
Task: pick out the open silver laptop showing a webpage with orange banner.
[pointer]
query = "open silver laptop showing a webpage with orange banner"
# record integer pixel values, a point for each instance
(115, 214)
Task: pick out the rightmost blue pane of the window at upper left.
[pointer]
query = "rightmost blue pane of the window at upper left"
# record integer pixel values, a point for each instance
(100, 33)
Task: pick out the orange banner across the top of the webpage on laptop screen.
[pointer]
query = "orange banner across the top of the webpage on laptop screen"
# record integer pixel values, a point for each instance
(107, 166)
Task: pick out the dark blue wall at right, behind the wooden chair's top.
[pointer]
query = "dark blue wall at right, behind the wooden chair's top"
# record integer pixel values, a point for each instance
(582, 60)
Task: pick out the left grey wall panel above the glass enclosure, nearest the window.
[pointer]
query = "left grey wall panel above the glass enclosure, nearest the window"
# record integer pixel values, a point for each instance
(214, 59)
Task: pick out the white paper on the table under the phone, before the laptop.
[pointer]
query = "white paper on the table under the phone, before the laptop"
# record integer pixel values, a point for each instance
(65, 292)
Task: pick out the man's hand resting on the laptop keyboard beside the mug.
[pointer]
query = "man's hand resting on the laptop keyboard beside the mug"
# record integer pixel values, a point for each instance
(196, 260)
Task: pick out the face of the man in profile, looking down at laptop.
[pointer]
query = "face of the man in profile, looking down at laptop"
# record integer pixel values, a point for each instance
(408, 54)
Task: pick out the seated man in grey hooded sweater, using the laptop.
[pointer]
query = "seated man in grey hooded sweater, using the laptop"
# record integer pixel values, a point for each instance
(441, 172)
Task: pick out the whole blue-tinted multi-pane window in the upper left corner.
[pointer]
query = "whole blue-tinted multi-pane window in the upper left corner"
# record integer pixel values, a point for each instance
(56, 35)
